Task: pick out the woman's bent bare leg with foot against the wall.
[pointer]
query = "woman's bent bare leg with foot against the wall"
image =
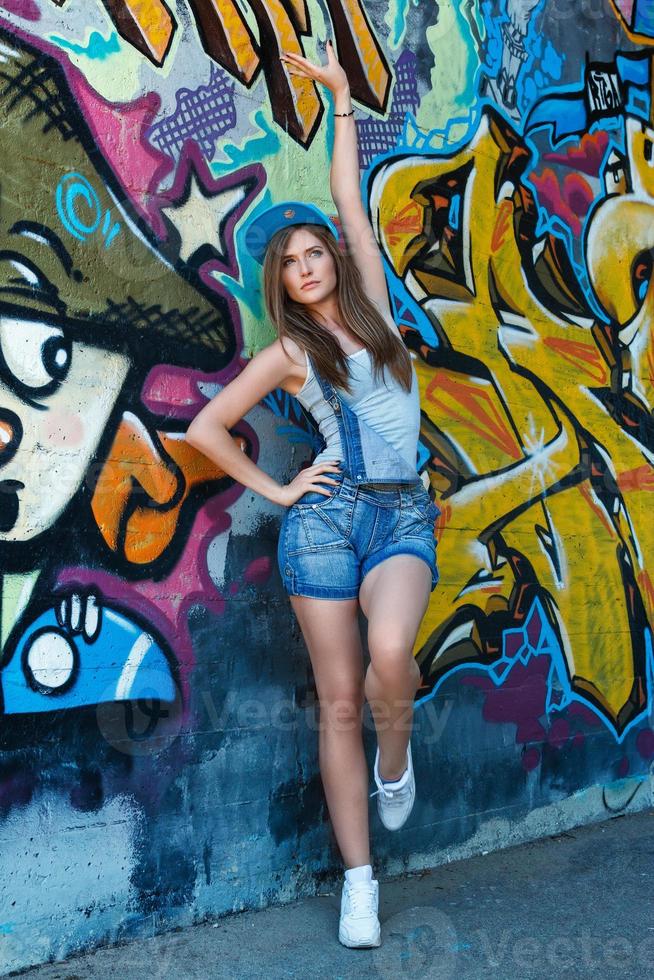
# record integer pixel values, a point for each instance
(394, 596)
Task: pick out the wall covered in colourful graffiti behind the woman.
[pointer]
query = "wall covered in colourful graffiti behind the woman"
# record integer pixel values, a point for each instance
(158, 756)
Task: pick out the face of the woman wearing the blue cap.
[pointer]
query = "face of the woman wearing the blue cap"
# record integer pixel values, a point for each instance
(308, 269)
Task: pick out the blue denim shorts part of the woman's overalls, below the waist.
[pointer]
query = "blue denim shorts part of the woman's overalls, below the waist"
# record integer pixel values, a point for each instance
(328, 544)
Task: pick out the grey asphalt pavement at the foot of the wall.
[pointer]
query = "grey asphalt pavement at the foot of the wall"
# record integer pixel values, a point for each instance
(578, 905)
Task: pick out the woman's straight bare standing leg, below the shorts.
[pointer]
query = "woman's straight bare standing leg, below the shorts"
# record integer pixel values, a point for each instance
(331, 633)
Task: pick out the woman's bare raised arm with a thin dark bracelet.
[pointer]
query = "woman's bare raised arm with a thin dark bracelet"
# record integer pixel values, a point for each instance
(345, 178)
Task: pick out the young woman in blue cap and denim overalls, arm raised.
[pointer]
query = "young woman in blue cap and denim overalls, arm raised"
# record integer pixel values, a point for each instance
(359, 529)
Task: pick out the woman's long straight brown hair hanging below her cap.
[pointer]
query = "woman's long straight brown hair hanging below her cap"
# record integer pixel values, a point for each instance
(358, 313)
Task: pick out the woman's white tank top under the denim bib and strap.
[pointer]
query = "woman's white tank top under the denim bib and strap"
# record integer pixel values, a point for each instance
(387, 408)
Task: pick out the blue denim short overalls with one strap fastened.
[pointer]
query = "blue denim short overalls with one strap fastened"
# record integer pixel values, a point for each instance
(380, 508)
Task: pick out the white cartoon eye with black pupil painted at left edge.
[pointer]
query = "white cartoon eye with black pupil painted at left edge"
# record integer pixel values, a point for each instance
(36, 355)
